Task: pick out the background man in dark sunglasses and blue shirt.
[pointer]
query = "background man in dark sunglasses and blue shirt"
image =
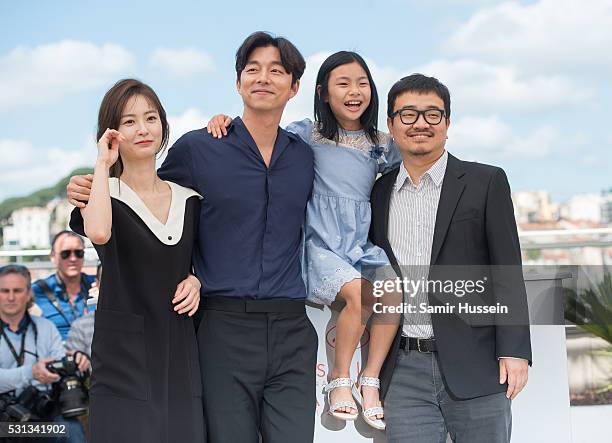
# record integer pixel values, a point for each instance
(62, 296)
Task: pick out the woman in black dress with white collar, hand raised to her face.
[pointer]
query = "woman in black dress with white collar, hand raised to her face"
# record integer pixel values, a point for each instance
(146, 376)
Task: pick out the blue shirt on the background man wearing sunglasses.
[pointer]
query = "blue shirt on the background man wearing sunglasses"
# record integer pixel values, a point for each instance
(68, 313)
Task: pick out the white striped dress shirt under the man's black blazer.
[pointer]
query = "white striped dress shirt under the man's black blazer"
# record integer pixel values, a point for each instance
(412, 218)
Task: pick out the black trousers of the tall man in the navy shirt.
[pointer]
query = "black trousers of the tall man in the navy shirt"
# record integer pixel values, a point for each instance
(258, 376)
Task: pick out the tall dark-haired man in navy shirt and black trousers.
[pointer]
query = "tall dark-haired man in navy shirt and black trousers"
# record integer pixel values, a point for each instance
(257, 346)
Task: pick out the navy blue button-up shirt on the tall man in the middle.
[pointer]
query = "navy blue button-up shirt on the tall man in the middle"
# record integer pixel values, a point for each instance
(251, 218)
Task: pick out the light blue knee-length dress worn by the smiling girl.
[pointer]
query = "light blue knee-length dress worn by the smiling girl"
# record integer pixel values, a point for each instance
(338, 213)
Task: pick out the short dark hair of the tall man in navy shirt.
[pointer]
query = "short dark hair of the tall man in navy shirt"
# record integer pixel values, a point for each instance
(291, 59)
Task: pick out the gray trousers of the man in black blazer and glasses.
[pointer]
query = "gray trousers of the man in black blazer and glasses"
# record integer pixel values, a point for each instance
(418, 408)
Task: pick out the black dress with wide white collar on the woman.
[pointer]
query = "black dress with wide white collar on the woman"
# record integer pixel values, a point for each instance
(146, 378)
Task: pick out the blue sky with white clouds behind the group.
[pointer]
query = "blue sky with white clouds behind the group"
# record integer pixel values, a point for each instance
(529, 80)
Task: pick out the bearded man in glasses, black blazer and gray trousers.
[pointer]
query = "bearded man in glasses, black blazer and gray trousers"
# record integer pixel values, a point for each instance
(448, 372)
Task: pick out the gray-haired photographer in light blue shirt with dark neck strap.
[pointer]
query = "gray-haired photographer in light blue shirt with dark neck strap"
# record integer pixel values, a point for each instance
(28, 343)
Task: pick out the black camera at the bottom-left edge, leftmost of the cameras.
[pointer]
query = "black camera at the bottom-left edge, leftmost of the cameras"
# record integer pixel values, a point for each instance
(31, 404)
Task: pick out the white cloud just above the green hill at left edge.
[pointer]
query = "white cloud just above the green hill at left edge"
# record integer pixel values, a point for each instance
(25, 168)
